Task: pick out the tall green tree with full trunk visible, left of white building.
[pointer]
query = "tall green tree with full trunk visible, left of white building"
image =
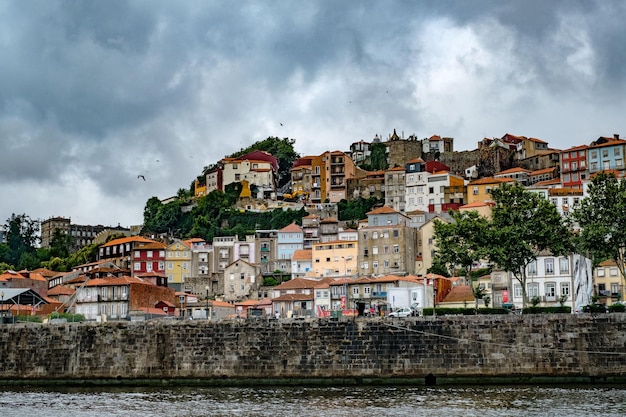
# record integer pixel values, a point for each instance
(522, 225)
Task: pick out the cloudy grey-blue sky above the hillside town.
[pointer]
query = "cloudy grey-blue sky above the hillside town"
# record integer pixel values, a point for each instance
(95, 93)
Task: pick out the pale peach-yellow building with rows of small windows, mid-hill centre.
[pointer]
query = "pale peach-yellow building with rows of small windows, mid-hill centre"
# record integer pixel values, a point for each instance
(335, 259)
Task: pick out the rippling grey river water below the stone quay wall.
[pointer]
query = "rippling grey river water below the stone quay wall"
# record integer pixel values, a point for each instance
(465, 401)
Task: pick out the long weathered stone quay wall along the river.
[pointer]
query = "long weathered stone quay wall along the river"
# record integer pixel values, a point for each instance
(474, 348)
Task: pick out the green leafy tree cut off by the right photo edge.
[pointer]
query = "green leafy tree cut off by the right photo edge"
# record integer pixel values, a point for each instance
(602, 220)
